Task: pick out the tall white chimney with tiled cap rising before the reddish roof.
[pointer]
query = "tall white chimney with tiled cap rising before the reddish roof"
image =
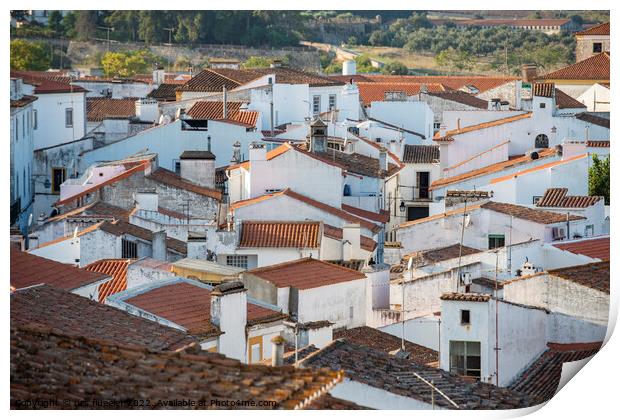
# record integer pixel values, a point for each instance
(229, 313)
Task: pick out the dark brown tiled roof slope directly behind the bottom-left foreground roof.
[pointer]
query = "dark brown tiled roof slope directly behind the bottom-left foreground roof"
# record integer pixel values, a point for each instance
(68, 313)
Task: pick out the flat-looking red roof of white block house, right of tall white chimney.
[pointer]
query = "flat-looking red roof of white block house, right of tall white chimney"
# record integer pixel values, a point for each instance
(306, 273)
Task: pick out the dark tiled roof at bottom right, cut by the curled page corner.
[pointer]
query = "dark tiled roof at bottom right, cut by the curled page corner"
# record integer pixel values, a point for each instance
(542, 378)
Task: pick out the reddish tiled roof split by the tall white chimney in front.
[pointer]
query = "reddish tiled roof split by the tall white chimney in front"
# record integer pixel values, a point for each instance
(190, 306)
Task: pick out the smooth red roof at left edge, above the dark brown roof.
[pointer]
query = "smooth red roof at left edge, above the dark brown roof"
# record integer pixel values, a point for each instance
(28, 270)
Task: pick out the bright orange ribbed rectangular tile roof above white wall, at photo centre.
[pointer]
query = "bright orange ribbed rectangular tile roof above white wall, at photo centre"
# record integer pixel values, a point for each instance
(259, 234)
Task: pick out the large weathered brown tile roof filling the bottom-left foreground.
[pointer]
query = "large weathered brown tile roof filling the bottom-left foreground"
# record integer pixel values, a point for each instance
(81, 369)
